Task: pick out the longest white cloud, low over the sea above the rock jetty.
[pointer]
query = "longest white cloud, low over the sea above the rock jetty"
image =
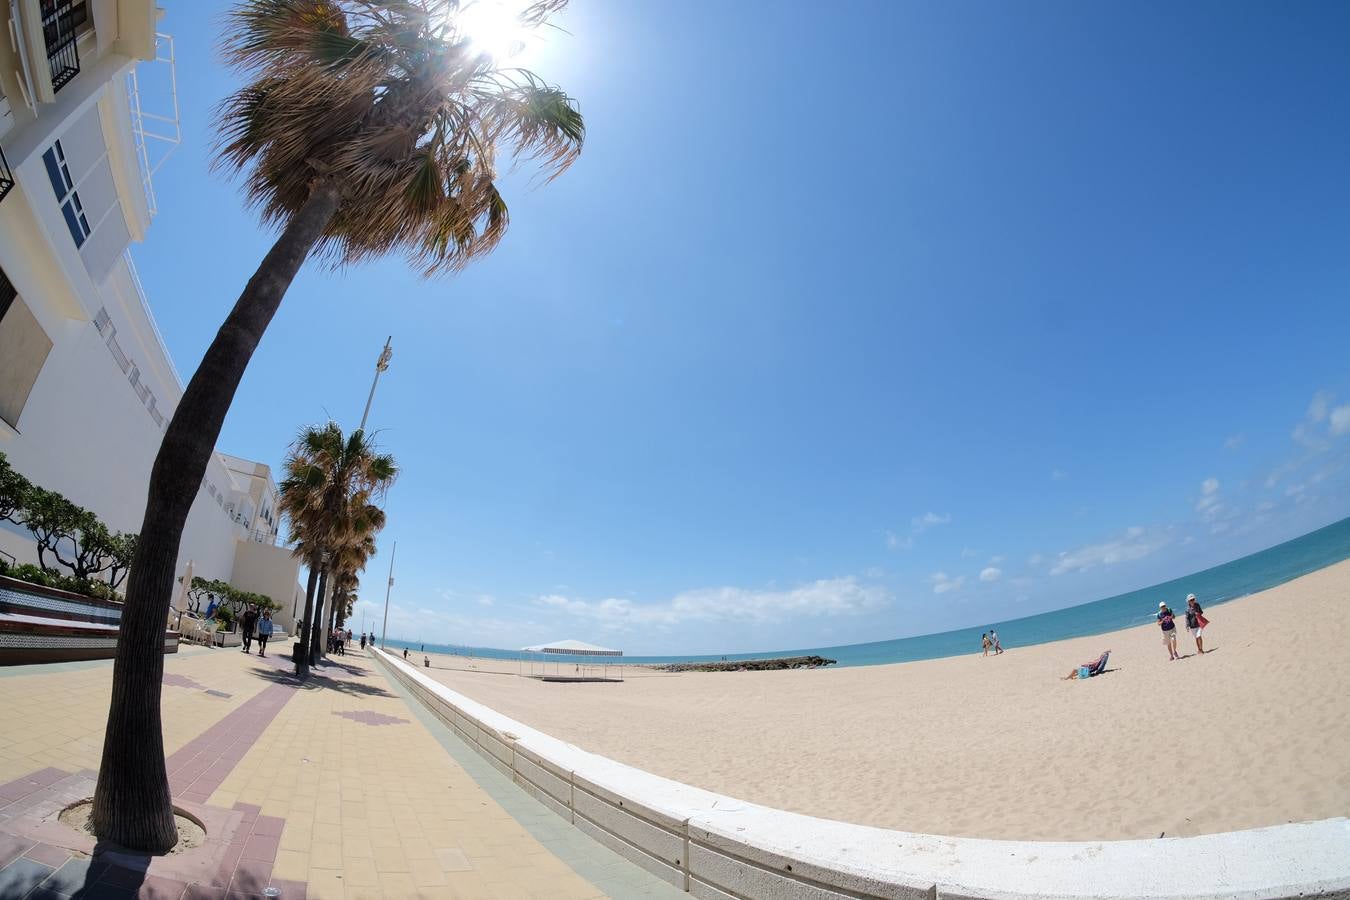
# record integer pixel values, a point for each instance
(827, 597)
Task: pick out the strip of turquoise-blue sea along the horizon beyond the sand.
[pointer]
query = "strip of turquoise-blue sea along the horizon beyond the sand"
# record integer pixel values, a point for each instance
(1214, 586)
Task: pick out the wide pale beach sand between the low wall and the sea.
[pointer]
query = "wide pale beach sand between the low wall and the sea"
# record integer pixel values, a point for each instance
(1255, 733)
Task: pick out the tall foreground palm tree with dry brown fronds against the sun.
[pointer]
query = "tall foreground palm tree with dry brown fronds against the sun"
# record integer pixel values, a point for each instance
(365, 128)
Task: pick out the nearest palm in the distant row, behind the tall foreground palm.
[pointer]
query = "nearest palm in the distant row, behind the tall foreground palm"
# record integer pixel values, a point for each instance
(329, 493)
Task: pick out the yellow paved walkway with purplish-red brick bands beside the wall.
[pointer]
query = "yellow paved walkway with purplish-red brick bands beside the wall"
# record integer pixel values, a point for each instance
(341, 787)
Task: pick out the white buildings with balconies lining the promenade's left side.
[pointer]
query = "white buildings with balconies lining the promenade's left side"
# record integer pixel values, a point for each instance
(87, 385)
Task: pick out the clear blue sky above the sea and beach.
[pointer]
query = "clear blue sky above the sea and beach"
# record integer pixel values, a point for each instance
(853, 322)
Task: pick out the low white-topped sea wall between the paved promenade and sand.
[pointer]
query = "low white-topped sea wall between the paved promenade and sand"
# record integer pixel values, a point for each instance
(719, 848)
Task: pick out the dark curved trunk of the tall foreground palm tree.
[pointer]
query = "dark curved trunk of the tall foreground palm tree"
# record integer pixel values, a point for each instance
(132, 805)
